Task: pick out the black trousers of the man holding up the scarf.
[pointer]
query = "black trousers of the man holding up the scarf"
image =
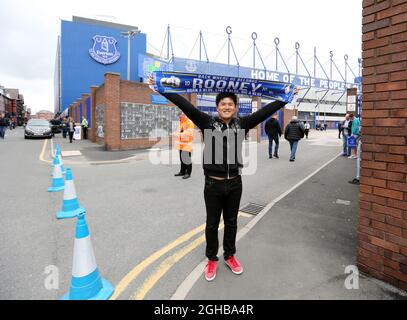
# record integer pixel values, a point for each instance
(221, 196)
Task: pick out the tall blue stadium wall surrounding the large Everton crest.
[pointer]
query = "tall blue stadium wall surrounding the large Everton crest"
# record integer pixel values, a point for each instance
(79, 70)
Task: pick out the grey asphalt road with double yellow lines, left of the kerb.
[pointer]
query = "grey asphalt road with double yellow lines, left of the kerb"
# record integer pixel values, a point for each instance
(134, 208)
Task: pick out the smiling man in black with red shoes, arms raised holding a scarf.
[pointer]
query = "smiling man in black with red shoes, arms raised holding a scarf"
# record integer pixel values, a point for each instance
(223, 135)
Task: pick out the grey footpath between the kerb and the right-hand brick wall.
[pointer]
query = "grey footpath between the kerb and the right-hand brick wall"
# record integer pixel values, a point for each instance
(299, 249)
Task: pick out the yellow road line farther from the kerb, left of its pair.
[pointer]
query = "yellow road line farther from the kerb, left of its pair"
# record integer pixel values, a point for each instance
(123, 284)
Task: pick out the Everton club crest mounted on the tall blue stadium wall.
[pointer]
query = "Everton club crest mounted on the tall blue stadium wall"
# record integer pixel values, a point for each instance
(104, 50)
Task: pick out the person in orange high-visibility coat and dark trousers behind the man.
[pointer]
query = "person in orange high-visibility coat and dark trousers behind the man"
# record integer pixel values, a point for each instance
(185, 136)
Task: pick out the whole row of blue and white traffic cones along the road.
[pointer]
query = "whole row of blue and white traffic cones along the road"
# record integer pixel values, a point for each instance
(86, 282)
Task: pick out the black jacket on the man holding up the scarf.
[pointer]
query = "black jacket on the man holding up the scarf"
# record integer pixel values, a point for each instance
(219, 136)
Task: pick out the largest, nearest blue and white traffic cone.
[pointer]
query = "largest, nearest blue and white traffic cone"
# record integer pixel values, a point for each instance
(86, 282)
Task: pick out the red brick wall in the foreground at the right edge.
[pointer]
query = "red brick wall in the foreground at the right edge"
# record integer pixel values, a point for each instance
(382, 231)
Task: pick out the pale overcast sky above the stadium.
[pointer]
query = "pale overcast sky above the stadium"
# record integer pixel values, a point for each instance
(29, 30)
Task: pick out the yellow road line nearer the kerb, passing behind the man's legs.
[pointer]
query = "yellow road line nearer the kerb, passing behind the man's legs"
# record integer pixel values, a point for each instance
(166, 265)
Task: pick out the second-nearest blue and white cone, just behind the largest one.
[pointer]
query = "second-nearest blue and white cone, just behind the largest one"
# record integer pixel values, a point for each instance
(70, 205)
